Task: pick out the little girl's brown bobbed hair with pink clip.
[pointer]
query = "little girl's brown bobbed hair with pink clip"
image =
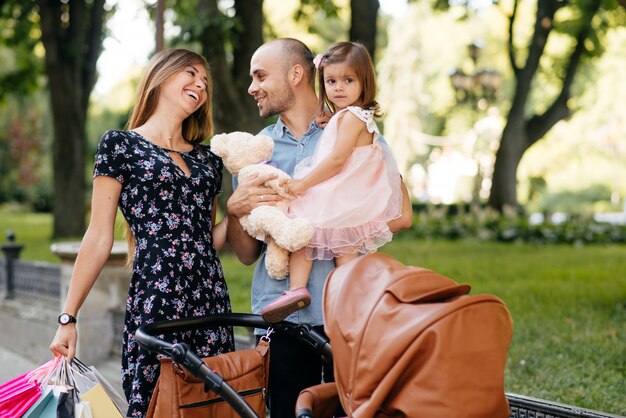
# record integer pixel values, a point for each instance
(356, 56)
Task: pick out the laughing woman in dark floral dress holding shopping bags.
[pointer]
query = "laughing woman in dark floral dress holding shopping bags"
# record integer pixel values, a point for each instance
(166, 185)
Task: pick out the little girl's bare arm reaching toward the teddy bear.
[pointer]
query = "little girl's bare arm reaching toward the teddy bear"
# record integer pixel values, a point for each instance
(350, 128)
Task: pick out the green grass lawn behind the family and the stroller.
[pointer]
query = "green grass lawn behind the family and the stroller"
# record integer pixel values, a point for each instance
(568, 306)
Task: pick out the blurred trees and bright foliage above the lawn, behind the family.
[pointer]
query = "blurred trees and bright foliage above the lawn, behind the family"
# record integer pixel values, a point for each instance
(491, 104)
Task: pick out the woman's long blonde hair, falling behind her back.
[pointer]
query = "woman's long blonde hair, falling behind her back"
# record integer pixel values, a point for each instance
(196, 127)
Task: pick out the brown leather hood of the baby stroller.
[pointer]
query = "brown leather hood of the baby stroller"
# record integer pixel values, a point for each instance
(410, 342)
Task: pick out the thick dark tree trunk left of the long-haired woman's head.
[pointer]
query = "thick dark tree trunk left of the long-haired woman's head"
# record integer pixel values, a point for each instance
(72, 38)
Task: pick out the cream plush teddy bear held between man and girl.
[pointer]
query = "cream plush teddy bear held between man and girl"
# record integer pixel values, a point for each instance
(244, 155)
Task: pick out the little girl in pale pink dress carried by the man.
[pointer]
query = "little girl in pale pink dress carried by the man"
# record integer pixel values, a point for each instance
(350, 189)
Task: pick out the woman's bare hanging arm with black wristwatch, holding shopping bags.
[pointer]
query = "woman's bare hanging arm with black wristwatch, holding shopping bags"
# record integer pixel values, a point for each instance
(94, 251)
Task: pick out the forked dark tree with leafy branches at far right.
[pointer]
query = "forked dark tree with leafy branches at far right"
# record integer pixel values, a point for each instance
(585, 22)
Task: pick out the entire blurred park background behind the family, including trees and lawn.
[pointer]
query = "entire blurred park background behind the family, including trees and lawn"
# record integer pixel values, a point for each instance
(507, 119)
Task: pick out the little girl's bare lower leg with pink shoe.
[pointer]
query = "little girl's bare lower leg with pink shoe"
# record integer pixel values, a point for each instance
(297, 297)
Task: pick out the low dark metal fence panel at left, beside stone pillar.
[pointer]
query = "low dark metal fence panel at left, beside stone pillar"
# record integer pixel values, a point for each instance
(36, 280)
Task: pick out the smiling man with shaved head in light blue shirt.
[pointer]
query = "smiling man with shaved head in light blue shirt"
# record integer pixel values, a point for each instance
(283, 84)
